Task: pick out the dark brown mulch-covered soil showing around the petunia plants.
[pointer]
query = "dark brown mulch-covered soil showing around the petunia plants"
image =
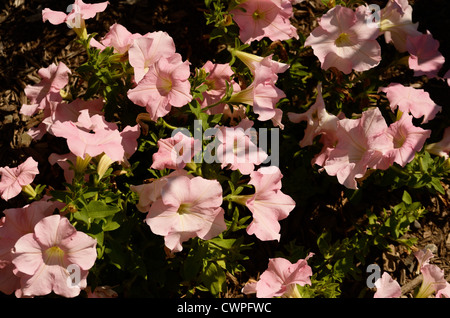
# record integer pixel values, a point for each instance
(27, 44)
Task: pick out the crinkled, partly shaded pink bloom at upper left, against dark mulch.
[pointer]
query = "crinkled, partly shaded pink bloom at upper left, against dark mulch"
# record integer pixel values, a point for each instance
(54, 78)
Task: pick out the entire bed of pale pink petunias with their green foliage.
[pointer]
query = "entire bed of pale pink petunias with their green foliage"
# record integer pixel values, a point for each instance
(302, 154)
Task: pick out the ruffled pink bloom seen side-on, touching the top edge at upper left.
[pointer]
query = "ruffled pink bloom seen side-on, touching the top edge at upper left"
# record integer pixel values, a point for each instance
(79, 10)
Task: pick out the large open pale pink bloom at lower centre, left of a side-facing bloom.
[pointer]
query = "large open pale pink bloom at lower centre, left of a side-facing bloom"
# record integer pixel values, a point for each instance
(187, 208)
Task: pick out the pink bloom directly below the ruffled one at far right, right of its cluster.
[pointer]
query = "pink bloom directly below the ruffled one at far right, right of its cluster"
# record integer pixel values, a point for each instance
(407, 139)
